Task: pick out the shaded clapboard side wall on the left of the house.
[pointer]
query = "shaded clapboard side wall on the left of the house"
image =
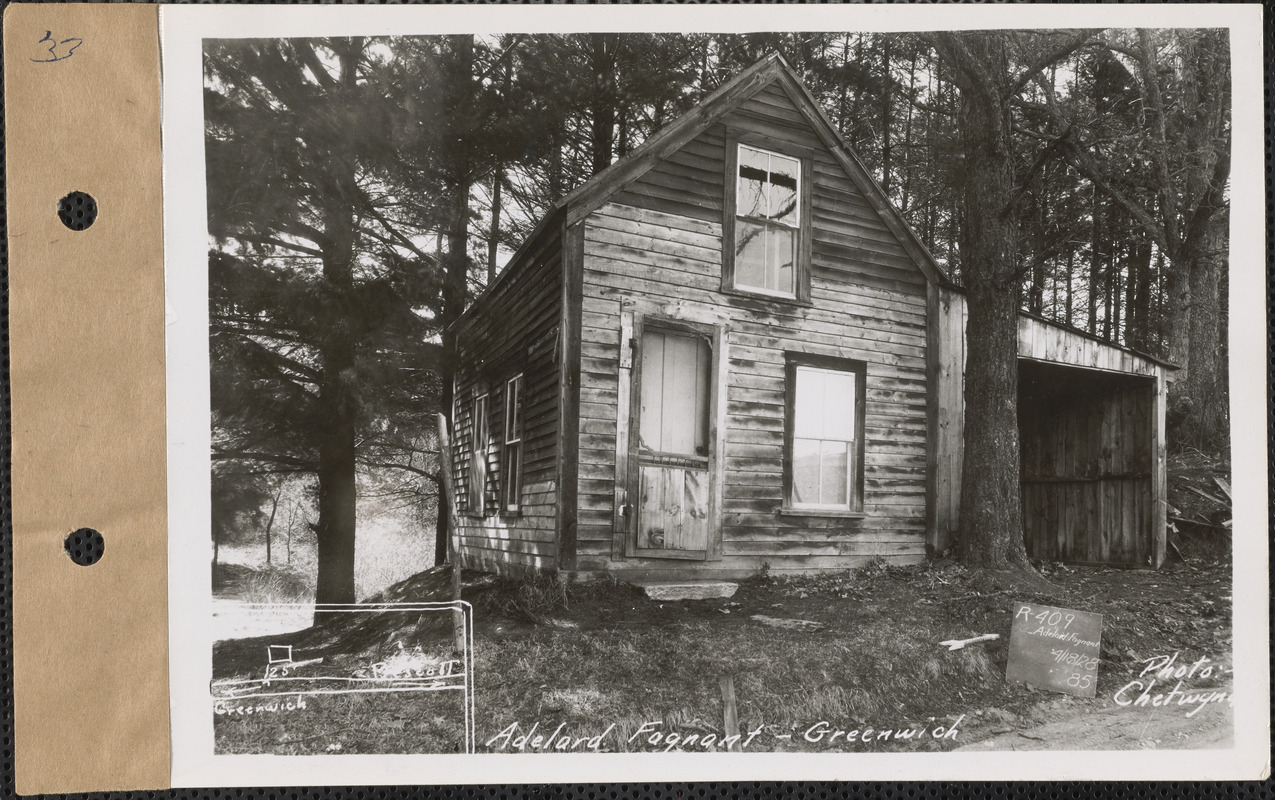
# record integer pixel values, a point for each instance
(516, 330)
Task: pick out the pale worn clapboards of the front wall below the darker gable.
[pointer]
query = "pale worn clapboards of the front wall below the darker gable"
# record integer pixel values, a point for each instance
(675, 262)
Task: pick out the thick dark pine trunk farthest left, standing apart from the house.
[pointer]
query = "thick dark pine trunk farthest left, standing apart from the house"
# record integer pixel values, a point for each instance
(337, 392)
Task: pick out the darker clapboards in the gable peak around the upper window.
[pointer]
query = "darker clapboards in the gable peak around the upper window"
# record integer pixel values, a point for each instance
(851, 244)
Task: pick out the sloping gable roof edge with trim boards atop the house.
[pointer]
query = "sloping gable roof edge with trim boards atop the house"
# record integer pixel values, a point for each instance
(596, 192)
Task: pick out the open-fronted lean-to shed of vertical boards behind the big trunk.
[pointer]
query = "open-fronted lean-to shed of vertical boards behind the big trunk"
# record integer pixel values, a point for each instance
(1091, 433)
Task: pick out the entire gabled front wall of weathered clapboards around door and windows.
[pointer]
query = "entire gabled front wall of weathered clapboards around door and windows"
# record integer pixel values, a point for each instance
(661, 242)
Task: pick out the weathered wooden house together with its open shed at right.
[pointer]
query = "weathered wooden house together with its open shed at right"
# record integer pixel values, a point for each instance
(730, 353)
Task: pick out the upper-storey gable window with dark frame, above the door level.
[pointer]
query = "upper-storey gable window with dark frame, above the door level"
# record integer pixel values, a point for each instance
(767, 230)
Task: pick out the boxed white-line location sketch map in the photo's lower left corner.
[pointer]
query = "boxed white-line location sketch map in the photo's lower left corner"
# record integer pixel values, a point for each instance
(333, 690)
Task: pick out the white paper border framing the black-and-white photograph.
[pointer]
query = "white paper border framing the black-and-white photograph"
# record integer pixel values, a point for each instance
(183, 30)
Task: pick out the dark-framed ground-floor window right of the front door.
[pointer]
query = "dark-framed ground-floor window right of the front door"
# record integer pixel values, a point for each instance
(824, 455)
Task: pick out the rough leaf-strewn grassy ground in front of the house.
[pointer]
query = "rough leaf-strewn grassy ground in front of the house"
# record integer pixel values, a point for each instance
(591, 656)
